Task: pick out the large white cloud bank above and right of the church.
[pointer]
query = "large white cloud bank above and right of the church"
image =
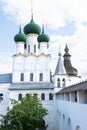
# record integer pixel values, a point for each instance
(56, 14)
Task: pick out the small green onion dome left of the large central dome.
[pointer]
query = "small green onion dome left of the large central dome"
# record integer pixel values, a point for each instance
(20, 37)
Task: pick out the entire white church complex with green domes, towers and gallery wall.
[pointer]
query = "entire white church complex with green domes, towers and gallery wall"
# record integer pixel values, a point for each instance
(65, 100)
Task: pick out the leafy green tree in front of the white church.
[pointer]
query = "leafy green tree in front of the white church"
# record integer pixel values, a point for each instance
(27, 114)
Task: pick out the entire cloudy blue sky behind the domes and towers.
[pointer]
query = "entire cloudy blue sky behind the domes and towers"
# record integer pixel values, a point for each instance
(65, 21)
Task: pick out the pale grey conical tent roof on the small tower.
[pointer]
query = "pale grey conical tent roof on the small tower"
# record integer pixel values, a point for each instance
(60, 70)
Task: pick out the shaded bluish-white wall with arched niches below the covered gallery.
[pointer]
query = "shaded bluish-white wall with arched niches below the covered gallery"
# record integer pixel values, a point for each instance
(76, 112)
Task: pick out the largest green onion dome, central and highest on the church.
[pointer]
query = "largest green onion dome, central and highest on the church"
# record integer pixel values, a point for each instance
(32, 27)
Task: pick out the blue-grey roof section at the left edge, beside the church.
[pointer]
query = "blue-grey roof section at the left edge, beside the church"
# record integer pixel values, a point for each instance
(6, 78)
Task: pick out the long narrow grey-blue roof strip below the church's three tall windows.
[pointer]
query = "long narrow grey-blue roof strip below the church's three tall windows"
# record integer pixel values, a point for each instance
(30, 86)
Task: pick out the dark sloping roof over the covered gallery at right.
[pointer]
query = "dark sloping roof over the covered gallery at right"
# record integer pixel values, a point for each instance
(77, 87)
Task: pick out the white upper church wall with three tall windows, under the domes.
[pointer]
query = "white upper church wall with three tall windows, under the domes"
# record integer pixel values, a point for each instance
(31, 64)
